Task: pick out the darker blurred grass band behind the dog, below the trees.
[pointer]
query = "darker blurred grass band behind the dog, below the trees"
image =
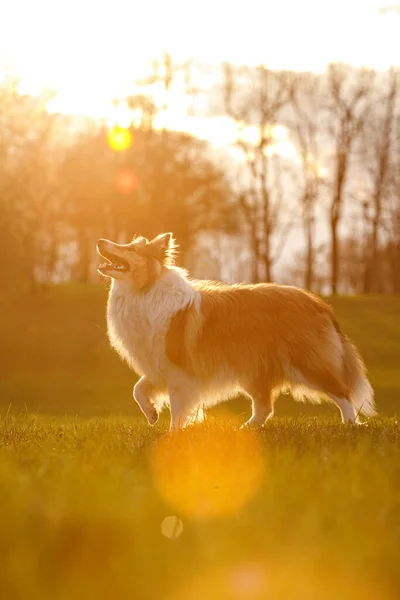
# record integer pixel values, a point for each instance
(55, 356)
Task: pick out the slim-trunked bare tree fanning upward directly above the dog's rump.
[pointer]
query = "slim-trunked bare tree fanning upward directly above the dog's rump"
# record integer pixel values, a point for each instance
(348, 107)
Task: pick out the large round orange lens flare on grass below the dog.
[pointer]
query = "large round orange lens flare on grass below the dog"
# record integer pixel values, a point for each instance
(208, 472)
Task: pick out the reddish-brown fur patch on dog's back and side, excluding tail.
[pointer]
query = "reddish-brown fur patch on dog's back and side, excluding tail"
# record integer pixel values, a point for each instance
(248, 328)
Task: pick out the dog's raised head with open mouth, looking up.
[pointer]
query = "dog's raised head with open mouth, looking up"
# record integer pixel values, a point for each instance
(141, 262)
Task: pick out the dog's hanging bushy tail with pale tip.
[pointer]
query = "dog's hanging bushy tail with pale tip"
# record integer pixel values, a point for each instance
(355, 375)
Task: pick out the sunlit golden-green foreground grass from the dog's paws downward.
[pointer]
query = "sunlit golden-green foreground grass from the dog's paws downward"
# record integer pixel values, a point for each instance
(306, 509)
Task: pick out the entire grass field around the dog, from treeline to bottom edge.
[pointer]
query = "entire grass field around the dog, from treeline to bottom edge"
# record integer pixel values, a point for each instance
(96, 504)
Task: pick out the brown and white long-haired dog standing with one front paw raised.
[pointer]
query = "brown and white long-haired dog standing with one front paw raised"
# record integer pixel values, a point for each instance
(195, 343)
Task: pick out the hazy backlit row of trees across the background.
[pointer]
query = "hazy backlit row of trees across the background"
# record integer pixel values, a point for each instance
(312, 174)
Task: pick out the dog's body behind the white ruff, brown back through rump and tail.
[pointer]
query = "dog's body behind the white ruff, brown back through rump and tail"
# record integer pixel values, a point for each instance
(265, 338)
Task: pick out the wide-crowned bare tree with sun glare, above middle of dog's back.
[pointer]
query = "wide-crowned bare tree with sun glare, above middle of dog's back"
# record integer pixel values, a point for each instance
(255, 98)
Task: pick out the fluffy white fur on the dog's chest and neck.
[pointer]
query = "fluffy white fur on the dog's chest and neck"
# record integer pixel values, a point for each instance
(138, 323)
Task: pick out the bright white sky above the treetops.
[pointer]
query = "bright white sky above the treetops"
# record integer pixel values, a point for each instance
(91, 50)
